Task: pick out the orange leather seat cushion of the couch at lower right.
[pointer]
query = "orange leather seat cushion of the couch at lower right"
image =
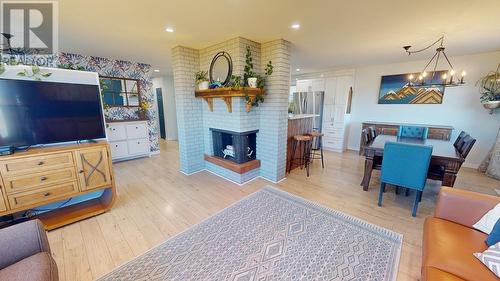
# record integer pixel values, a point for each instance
(450, 247)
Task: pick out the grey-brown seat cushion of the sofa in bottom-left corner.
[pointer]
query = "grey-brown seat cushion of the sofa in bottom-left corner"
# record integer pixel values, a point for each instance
(39, 267)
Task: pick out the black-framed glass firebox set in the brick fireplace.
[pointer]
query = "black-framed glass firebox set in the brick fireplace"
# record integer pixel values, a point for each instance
(239, 147)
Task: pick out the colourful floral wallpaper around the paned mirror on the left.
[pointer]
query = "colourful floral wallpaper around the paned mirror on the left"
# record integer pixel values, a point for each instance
(123, 69)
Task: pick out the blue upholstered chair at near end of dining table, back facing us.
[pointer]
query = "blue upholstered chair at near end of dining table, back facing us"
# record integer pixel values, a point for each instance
(405, 165)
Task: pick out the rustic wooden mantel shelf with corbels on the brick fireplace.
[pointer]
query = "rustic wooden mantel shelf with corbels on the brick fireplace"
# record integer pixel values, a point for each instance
(226, 94)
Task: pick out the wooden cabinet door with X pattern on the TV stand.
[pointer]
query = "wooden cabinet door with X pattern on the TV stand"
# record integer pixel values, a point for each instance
(93, 168)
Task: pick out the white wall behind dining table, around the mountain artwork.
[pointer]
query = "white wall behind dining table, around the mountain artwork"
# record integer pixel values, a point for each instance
(461, 107)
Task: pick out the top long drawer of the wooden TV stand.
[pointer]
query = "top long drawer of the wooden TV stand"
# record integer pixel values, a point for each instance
(36, 164)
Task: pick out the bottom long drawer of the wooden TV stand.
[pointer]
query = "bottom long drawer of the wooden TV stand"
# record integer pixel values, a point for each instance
(35, 197)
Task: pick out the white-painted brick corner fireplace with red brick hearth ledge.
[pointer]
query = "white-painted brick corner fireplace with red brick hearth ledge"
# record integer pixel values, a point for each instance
(204, 133)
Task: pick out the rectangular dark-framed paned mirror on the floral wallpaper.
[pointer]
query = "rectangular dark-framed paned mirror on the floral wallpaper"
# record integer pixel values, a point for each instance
(121, 92)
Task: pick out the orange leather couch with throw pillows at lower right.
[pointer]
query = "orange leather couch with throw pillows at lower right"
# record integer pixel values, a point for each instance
(450, 241)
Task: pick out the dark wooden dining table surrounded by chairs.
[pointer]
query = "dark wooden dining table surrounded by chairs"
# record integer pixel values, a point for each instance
(444, 154)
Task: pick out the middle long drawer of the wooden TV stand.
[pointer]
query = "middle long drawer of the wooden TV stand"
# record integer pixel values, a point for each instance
(37, 180)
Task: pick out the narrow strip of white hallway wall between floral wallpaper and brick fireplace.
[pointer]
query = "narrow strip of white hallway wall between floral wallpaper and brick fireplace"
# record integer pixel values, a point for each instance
(166, 83)
